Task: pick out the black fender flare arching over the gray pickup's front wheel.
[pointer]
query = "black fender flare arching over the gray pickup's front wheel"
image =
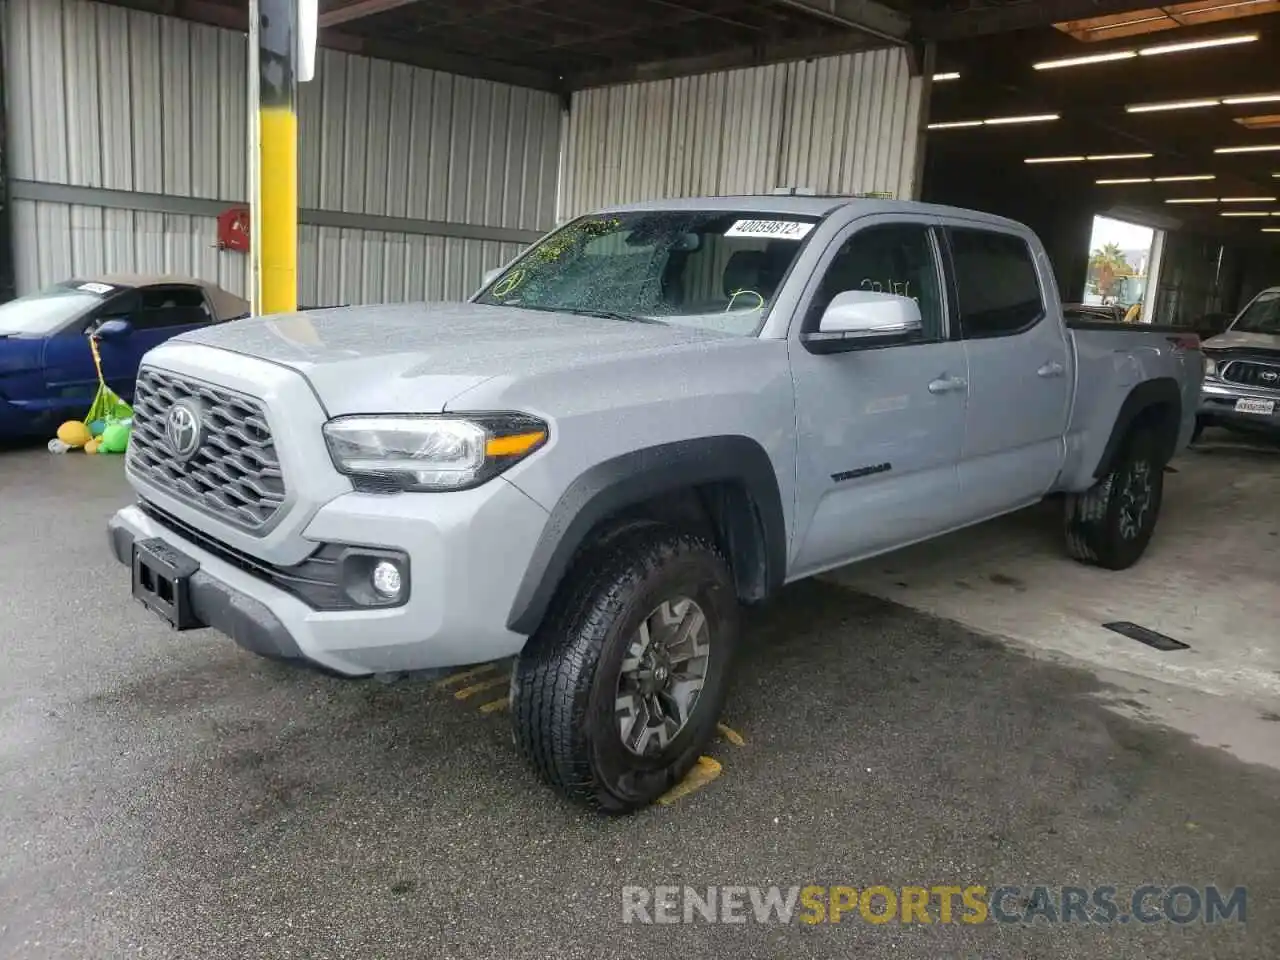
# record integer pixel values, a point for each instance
(642, 476)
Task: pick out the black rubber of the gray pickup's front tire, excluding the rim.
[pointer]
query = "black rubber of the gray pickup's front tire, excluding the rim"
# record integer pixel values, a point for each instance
(565, 684)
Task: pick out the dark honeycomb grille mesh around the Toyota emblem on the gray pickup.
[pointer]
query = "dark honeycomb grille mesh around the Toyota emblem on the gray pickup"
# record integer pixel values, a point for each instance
(235, 476)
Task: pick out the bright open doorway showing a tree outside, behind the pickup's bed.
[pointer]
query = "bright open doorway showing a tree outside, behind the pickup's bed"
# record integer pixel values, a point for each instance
(1123, 267)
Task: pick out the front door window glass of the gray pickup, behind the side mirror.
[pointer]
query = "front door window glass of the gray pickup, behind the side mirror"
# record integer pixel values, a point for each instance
(889, 259)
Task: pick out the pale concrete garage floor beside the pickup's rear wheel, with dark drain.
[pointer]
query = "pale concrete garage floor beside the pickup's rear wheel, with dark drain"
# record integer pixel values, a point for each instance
(1210, 579)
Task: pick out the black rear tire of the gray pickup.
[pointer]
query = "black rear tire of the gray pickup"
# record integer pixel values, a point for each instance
(1094, 520)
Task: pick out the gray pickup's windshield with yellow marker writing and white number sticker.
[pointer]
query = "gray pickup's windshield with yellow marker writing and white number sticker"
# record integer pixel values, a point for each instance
(694, 268)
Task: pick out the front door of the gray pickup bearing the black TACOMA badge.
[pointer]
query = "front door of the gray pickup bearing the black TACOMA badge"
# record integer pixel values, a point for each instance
(879, 428)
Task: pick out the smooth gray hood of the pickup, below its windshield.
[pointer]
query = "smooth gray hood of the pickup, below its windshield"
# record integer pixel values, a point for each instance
(415, 358)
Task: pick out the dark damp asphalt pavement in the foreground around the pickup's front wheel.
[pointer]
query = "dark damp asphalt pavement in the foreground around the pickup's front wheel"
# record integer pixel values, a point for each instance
(172, 797)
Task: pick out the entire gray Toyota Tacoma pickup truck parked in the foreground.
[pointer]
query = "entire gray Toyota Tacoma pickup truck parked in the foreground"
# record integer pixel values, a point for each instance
(653, 417)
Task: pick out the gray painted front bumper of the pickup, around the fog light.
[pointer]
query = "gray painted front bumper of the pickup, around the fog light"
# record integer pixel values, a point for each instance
(468, 552)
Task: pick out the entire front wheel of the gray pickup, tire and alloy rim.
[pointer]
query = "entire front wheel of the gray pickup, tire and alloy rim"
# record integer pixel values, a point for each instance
(619, 692)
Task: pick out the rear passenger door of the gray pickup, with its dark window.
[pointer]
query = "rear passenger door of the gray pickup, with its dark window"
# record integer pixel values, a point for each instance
(1021, 374)
